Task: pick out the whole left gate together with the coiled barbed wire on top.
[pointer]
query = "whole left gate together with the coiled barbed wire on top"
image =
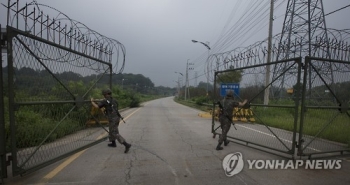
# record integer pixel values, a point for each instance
(54, 66)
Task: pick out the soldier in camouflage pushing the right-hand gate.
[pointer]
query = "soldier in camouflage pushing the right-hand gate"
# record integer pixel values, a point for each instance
(226, 116)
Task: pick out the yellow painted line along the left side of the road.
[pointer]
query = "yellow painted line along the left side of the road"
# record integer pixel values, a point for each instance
(59, 168)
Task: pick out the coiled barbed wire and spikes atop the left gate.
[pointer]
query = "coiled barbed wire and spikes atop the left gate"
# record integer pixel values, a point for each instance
(66, 32)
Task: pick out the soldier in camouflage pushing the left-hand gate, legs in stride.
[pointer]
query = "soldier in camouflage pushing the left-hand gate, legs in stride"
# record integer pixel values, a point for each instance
(111, 110)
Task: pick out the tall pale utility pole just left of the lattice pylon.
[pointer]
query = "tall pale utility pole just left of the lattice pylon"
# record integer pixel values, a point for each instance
(267, 77)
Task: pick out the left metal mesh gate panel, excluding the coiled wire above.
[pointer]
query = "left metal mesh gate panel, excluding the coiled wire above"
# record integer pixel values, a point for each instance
(49, 101)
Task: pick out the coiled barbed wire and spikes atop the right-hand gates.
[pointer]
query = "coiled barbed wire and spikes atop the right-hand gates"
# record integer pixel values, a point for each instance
(336, 47)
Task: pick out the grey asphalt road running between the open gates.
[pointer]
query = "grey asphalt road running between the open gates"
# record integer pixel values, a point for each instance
(171, 144)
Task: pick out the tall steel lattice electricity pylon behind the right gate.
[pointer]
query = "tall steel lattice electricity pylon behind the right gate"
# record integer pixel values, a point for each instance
(304, 28)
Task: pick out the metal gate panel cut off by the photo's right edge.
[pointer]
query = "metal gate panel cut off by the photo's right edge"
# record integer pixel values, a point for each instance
(325, 114)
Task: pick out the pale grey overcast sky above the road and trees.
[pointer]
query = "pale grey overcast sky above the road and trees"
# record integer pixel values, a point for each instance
(157, 34)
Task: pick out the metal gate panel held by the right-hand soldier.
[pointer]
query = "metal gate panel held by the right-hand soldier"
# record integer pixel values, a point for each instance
(264, 132)
